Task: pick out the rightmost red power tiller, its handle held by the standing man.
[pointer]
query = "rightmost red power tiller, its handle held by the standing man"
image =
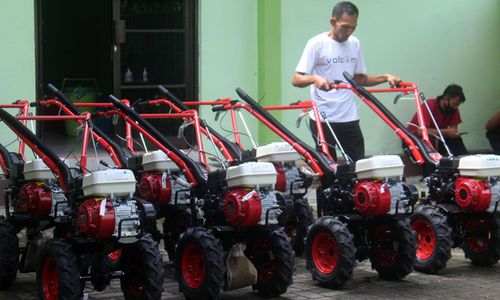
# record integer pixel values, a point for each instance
(461, 208)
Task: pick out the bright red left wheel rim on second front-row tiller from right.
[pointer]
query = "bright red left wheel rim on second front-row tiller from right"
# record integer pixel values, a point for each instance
(325, 254)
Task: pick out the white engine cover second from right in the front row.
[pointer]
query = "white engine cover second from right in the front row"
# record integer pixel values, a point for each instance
(380, 166)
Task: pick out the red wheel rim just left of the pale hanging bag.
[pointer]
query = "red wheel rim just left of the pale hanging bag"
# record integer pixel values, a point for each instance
(193, 265)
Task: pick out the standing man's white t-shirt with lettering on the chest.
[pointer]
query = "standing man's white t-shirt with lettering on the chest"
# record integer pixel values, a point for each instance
(328, 58)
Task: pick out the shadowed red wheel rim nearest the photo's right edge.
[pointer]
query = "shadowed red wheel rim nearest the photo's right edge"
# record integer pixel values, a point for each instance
(478, 234)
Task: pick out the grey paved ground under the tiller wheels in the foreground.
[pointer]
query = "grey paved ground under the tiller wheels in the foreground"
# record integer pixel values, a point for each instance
(460, 280)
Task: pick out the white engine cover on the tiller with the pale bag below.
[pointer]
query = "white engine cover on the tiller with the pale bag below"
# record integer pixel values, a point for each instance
(251, 174)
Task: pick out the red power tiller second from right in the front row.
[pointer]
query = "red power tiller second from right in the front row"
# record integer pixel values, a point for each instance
(363, 213)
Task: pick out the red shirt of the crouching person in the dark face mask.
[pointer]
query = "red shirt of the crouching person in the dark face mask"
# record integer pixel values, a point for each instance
(443, 120)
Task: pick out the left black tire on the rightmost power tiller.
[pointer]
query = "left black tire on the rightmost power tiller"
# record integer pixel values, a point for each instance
(432, 231)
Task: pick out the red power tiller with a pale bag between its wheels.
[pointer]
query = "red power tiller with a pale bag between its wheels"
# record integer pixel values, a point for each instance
(228, 208)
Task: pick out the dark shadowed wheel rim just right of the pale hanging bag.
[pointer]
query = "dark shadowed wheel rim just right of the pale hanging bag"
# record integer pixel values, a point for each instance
(265, 262)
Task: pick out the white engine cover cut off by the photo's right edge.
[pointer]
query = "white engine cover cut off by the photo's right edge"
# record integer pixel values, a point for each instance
(481, 165)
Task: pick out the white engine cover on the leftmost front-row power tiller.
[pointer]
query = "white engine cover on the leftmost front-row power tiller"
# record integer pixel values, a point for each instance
(118, 182)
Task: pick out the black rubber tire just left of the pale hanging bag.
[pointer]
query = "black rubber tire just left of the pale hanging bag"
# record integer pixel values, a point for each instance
(212, 262)
